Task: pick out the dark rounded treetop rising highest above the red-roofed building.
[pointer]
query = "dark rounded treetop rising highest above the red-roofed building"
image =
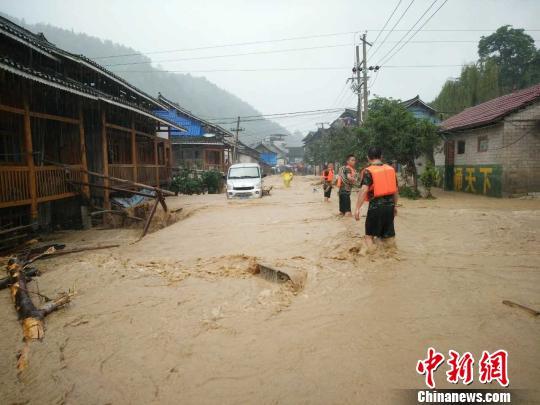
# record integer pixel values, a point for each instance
(514, 53)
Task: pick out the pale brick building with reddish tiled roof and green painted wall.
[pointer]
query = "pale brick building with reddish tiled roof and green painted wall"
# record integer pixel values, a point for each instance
(493, 148)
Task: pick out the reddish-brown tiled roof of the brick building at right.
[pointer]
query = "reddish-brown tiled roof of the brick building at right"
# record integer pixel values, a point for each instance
(492, 110)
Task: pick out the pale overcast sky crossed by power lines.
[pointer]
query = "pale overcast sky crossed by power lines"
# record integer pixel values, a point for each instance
(165, 25)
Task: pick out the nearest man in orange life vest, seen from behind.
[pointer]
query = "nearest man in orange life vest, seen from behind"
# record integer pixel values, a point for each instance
(379, 183)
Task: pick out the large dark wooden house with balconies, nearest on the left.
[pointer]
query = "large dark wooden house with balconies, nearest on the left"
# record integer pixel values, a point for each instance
(60, 108)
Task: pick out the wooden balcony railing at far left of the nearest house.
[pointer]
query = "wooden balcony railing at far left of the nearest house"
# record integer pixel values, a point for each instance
(51, 184)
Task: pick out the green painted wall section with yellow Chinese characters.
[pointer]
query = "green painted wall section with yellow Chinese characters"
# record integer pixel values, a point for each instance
(475, 179)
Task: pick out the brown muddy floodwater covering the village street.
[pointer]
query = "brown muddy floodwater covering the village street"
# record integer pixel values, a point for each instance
(179, 318)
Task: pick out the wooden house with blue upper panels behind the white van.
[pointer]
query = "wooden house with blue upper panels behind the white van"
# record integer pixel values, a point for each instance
(203, 146)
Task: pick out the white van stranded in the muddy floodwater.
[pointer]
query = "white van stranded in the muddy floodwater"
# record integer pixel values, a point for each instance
(244, 180)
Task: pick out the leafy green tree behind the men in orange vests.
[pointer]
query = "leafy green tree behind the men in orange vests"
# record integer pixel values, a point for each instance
(401, 136)
